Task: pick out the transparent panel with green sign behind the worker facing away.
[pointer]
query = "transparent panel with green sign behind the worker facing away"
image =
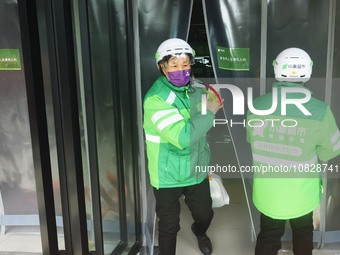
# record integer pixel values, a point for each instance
(244, 37)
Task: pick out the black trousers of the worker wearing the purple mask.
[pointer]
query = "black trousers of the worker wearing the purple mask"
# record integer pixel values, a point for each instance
(198, 200)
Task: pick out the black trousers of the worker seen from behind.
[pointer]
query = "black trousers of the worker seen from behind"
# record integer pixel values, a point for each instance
(269, 238)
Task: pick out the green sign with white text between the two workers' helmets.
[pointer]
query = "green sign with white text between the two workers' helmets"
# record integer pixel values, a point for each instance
(235, 59)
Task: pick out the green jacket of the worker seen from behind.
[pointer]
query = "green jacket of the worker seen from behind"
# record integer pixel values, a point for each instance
(294, 188)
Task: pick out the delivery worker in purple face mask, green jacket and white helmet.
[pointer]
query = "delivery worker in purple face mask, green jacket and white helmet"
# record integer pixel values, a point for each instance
(175, 134)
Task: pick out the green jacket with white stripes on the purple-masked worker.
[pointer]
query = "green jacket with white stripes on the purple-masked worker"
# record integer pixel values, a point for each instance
(175, 134)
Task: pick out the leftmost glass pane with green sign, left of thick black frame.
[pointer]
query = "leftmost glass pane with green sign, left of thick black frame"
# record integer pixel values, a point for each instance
(19, 221)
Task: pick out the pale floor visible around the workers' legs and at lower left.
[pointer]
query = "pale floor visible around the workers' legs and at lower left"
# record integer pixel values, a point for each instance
(230, 232)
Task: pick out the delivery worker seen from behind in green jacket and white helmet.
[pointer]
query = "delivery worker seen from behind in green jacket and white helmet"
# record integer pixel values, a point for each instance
(288, 146)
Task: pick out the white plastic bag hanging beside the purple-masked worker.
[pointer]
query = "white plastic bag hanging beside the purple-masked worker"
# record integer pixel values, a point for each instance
(218, 193)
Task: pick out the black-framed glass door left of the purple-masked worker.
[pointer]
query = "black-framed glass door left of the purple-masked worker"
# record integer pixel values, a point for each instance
(81, 87)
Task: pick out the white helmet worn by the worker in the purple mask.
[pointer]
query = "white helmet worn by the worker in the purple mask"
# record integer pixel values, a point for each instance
(174, 47)
